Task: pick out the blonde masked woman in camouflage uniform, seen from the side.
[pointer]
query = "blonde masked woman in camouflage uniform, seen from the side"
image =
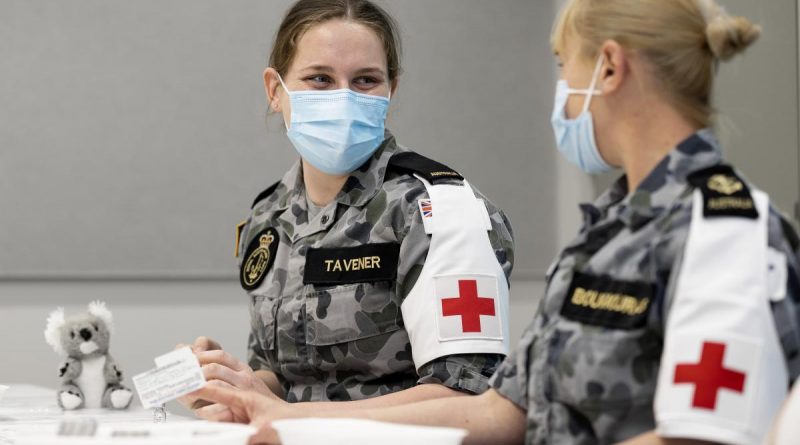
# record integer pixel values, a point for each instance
(672, 317)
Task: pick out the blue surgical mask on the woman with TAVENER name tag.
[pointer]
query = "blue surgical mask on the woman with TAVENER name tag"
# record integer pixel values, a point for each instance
(336, 131)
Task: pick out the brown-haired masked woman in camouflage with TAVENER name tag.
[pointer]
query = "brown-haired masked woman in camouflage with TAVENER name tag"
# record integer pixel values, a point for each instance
(336, 257)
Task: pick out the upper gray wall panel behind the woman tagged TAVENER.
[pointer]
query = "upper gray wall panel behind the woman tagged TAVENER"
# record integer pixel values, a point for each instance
(134, 139)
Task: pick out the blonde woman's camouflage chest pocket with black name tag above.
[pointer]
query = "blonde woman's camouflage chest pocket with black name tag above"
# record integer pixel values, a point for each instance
(606, 356)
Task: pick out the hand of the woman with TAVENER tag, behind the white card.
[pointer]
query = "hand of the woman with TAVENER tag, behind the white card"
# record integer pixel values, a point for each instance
(223, 370)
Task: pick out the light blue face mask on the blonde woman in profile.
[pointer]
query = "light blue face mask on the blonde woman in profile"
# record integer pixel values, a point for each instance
(575, 137)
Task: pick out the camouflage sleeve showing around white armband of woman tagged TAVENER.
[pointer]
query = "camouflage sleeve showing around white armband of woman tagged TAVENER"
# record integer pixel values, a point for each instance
(462, 372)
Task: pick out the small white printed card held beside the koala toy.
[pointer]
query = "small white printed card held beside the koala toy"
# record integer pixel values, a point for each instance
(176, 374)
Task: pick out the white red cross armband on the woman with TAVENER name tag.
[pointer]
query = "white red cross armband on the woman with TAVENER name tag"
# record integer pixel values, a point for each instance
(459, 303)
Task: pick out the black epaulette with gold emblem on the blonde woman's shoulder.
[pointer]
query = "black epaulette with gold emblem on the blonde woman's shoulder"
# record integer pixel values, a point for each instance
(724, 192)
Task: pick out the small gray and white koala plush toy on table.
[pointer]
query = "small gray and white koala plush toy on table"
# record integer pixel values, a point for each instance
(89, 376)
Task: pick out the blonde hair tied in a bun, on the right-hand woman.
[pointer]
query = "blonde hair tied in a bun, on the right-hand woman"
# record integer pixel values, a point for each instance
(681, 40)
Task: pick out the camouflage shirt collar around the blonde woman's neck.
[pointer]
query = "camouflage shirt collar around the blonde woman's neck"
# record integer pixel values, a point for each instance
(659, 190)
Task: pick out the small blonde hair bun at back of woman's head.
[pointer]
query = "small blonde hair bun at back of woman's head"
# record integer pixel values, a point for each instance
(728, 36)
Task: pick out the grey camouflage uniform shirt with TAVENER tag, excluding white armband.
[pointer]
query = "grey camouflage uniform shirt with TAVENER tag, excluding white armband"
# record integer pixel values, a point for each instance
(346, 340)
